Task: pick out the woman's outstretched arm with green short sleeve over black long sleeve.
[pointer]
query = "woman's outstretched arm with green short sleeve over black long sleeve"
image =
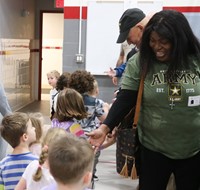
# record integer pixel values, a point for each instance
(126, 99)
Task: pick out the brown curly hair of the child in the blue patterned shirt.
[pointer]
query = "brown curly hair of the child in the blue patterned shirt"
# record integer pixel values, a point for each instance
(82, 81)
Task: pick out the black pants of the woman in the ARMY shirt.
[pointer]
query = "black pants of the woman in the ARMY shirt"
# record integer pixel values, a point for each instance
(155, 170)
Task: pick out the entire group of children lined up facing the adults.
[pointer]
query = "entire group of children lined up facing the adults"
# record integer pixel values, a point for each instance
(62, 158)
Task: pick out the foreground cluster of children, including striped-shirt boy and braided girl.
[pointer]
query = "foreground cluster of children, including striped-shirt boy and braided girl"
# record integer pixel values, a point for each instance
(61, 152)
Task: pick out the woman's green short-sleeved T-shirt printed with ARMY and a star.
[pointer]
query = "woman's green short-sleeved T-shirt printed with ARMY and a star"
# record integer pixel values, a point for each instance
(169, 120)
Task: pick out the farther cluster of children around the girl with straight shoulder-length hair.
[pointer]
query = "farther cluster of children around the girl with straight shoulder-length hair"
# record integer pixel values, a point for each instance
(83, 111)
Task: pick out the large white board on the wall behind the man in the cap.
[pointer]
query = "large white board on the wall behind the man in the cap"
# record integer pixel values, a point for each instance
(102, 51)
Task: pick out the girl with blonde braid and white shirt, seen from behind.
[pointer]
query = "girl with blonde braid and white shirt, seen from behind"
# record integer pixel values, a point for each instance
(37, 175)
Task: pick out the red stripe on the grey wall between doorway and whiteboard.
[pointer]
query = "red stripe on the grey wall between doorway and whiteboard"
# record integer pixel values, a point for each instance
(74, 12)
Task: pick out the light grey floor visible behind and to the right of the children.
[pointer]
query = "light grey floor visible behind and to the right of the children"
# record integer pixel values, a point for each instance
(106, 168)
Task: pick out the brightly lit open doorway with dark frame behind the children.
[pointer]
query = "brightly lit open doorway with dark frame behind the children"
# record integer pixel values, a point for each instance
(51, 49)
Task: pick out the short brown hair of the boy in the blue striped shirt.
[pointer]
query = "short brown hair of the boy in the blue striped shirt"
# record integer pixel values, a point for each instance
(13, 127)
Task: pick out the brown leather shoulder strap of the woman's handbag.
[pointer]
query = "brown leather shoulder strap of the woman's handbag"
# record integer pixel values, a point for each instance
(138, 103)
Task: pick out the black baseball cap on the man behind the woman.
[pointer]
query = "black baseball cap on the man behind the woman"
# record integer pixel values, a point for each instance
(129, 19)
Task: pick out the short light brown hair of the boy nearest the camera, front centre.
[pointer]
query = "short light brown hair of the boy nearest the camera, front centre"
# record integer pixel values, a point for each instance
(70, 158)
